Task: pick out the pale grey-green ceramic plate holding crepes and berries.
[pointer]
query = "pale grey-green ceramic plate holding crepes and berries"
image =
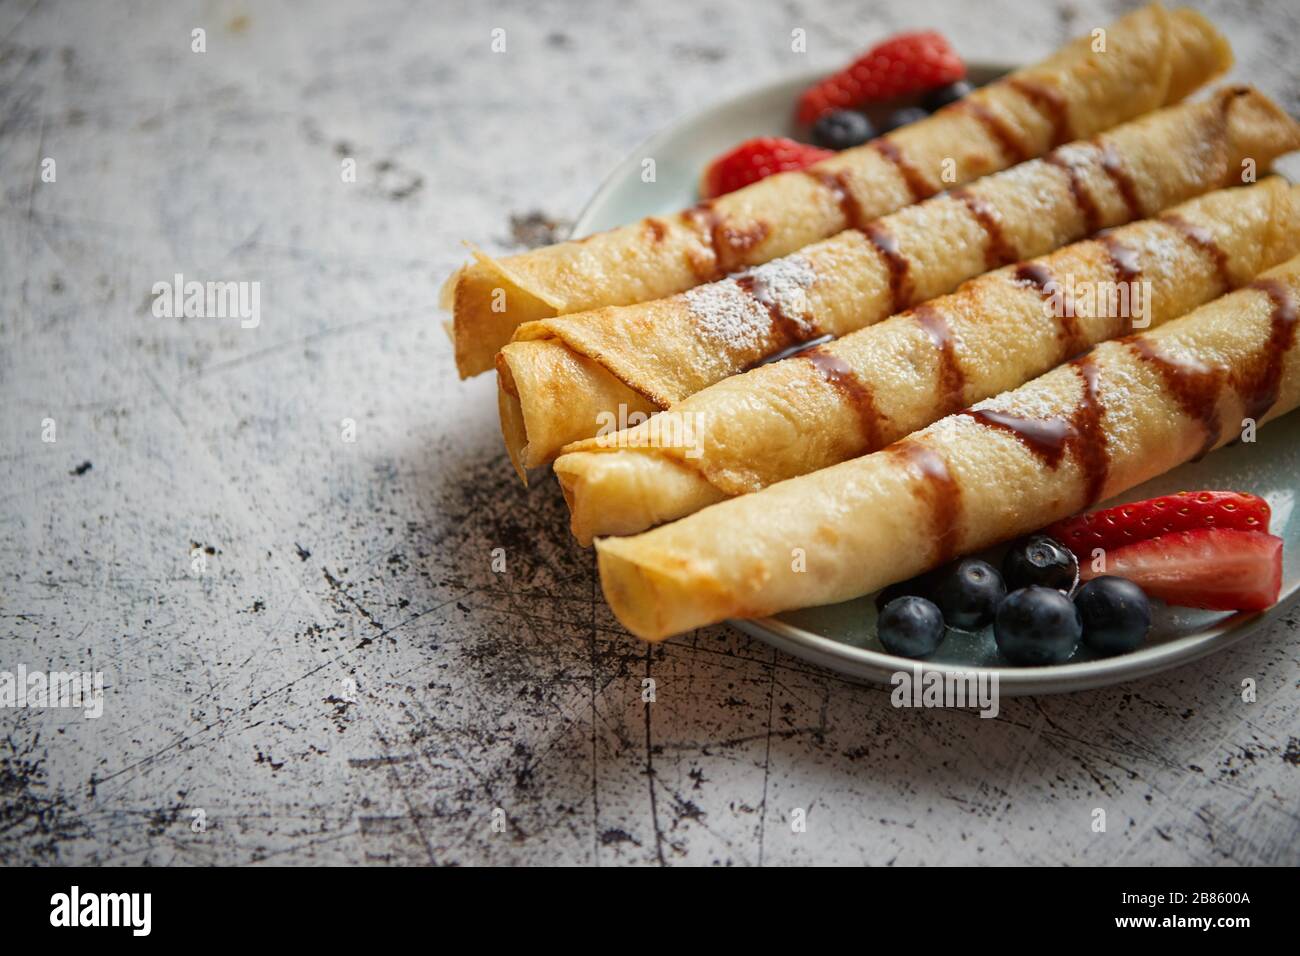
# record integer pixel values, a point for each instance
(844, 637)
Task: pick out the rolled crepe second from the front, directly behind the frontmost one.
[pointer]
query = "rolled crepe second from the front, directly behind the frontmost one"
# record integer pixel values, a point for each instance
(874, 387)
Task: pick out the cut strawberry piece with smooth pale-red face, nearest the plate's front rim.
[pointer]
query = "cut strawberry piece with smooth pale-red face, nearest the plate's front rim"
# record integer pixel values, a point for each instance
(1217, 569)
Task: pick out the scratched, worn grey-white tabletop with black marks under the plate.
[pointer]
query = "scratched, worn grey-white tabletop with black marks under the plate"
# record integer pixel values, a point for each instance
(349, 681)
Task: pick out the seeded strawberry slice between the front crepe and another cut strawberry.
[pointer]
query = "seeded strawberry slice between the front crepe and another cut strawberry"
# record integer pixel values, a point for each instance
(1116, 527)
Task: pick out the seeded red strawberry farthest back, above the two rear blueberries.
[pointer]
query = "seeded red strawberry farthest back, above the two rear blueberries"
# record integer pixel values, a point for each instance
(904, 64)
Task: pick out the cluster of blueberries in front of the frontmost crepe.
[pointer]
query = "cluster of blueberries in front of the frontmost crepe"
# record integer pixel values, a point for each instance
(1039, 615)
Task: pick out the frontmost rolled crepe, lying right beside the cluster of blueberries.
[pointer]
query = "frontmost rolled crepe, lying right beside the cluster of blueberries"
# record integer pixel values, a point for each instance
(1120, 416)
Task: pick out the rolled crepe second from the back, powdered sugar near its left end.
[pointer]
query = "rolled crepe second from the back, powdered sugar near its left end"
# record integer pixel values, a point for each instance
(562, 379)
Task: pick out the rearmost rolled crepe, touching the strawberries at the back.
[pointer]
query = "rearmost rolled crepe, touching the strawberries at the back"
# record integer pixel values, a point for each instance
(1152, 58)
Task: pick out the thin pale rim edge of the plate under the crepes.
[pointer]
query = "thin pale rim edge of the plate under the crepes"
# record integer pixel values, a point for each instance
(865, 665)
